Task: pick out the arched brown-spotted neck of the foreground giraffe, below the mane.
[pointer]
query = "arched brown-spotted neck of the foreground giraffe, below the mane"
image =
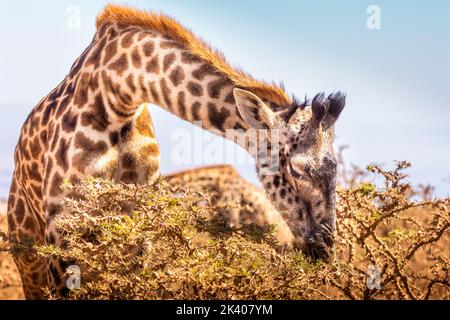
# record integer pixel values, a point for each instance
(136, 66)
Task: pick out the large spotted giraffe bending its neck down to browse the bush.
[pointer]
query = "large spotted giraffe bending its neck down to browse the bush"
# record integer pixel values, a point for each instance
(96, 123)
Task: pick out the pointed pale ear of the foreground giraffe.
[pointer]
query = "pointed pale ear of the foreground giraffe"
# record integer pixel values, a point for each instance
(253, 110)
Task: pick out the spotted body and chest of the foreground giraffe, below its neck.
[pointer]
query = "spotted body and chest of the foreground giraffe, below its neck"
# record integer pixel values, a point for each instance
(127, 152)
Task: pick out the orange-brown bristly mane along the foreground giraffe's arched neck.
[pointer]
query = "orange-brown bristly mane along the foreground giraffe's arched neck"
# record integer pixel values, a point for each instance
(172, 29)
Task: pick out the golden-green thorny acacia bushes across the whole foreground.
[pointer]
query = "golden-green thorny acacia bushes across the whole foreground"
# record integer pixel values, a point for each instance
(165, 242)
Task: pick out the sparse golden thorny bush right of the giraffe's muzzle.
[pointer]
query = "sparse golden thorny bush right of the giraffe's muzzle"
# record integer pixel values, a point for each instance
(402, 232)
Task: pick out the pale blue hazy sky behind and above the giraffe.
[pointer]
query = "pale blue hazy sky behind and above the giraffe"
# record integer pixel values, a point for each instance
(397, 78)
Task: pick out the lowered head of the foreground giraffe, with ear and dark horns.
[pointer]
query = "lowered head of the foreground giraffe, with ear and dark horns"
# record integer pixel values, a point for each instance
(302, 184)
